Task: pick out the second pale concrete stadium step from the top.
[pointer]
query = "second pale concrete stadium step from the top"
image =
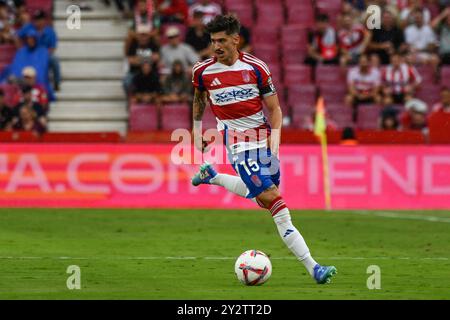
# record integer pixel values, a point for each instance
(96, 30)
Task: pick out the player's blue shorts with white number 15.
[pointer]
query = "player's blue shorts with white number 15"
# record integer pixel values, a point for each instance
(258, 168)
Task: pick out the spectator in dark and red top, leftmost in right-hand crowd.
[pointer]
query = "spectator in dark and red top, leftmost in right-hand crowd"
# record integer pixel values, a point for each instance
(322, 45)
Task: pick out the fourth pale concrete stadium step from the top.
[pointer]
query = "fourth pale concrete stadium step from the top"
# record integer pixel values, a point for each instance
(93, 70)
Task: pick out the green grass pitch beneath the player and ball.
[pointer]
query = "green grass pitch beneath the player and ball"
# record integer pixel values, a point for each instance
(190, 254)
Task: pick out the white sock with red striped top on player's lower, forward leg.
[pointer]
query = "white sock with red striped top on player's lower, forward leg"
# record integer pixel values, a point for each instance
(290, 235)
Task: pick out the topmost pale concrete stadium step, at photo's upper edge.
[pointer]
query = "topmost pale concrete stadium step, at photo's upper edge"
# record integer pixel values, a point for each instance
(100, 10)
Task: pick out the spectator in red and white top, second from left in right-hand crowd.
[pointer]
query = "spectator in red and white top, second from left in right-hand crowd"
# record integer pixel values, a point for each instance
(353, 40)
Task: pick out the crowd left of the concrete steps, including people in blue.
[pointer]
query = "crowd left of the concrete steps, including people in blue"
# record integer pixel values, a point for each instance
(33, 76)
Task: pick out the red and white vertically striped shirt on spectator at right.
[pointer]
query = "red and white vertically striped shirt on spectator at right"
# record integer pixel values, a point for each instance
(399, 78)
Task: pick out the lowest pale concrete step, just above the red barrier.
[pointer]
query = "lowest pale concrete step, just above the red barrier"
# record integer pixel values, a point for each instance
(88, 126)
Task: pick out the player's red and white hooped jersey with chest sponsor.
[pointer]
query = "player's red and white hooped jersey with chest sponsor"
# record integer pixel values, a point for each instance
(235, 94)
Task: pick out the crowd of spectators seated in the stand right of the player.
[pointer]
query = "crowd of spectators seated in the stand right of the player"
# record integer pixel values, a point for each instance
(381, 64)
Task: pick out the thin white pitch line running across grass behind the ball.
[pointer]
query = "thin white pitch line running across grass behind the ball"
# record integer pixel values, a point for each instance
(217, 258)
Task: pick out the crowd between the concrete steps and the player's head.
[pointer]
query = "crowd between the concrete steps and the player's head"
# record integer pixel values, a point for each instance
(166, 39)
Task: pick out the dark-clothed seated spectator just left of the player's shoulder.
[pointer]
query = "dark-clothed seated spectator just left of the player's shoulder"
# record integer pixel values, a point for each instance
(177, 86)
